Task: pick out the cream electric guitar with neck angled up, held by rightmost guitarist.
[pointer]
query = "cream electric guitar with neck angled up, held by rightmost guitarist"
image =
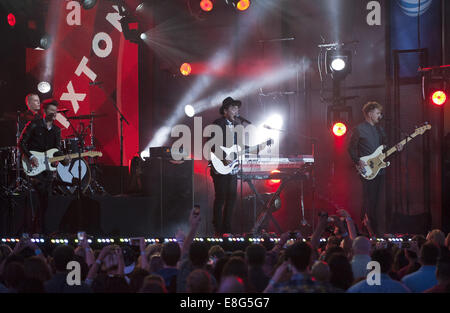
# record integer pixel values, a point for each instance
(376, 161)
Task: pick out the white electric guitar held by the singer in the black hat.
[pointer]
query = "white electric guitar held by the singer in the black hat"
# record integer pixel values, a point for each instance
(231, 161)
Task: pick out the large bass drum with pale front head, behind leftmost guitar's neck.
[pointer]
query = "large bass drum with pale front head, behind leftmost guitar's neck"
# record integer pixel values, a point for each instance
(68, 175)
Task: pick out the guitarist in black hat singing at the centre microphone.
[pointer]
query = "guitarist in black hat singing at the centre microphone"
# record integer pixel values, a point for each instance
(225, 186)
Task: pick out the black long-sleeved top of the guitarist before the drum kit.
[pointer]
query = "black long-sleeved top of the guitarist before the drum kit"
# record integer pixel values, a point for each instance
(36, 137)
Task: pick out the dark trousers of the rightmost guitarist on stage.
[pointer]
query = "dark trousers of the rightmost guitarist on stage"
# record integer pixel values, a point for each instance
(371, 197)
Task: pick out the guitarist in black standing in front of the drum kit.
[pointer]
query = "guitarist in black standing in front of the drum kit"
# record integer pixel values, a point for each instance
(41, 134)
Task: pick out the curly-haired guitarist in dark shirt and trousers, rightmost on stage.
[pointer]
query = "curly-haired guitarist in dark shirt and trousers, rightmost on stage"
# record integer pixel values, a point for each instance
(365, 139)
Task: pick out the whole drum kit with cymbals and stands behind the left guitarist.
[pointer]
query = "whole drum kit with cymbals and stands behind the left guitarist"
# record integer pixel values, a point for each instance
(14, 181)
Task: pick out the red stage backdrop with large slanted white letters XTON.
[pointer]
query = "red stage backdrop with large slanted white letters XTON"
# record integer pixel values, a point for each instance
(91, 68)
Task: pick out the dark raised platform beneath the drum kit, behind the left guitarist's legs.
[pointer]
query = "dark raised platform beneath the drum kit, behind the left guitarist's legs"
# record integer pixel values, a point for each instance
(97, 215)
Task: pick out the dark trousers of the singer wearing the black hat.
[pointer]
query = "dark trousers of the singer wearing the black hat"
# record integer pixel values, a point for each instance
(225, 187)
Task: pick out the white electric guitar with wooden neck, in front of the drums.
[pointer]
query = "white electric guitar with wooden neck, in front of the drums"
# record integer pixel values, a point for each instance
(45, 160)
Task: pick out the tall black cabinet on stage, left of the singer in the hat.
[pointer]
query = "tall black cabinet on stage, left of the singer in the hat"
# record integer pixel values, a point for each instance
(171, 184)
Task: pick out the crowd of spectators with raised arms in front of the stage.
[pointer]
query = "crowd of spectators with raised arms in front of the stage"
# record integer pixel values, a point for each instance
(293, 265)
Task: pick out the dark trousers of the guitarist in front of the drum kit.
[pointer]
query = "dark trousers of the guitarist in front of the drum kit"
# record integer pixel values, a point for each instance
(42, 184)
